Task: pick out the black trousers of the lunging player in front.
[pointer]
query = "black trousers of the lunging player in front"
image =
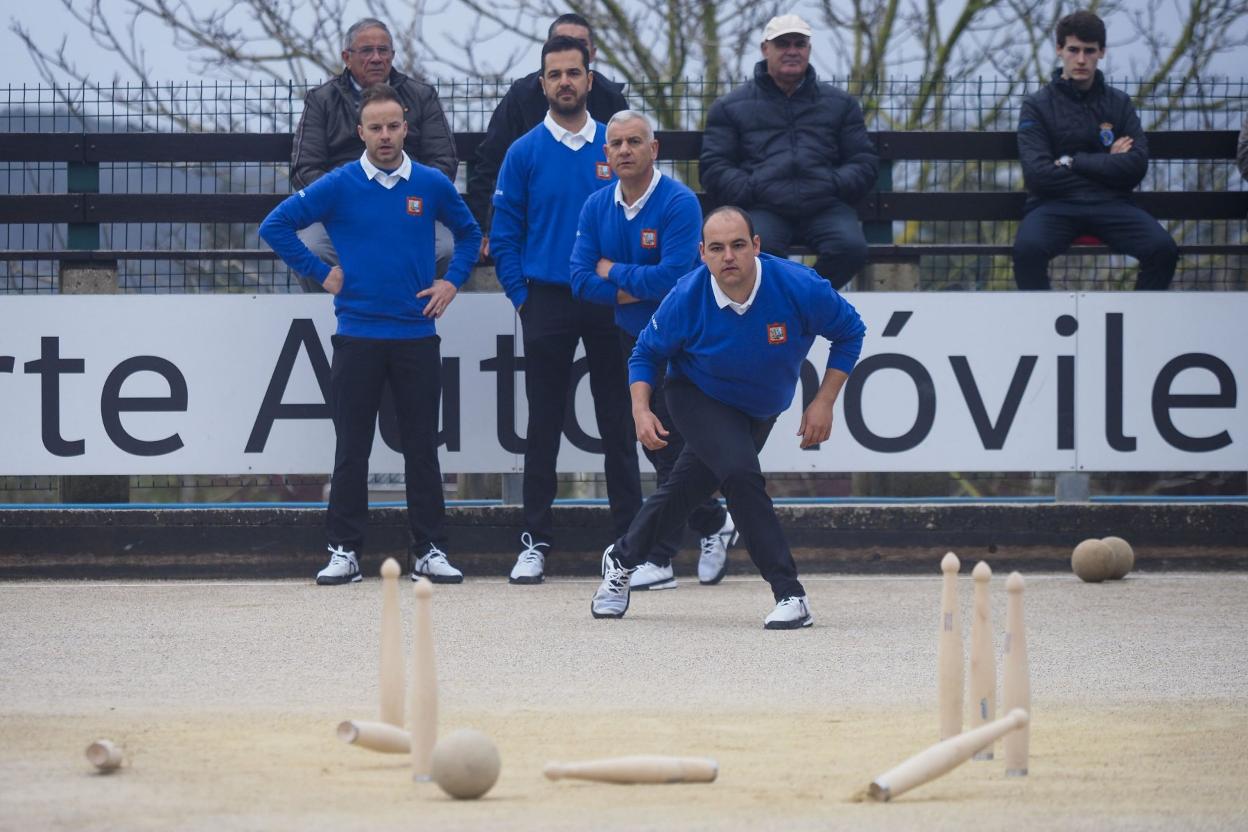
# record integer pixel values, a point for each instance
(722, 451)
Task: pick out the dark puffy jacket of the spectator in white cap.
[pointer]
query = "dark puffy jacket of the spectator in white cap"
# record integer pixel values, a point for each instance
(787, 154)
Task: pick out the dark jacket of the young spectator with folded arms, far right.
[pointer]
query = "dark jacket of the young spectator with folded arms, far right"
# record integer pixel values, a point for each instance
(1061, 120)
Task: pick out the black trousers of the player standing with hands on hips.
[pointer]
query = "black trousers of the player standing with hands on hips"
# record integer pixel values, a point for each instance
(414, 370)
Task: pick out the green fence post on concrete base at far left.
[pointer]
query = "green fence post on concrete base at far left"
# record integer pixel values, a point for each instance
(89, 276)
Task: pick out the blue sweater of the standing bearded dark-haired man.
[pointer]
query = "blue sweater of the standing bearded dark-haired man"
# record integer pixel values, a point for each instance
(541, 190)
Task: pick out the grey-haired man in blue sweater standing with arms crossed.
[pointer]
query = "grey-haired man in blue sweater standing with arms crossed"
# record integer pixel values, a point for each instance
(633, 244)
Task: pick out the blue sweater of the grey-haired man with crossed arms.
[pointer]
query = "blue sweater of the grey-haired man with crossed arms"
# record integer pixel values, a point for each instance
(651, 253)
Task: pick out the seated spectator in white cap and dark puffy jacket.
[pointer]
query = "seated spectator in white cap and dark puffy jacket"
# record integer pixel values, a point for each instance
(794, 153)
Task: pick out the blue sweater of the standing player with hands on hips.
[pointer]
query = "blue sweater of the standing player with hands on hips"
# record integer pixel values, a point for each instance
(385, 244)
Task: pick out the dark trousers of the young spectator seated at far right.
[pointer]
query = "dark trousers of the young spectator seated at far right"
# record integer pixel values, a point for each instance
(1049, 229)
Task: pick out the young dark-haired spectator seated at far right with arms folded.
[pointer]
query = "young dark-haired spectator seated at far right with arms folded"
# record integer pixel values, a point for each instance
(1083, 153)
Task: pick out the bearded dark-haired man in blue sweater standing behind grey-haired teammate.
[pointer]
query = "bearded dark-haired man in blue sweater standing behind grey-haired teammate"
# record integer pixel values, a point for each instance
(546, 178)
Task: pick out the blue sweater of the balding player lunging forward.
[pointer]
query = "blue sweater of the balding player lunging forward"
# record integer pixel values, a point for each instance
(753, 361)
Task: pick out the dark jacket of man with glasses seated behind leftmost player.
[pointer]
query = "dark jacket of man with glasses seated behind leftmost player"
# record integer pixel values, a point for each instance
(326, 138)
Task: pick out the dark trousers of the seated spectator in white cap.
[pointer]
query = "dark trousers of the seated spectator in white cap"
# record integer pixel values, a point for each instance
(834, 234)
